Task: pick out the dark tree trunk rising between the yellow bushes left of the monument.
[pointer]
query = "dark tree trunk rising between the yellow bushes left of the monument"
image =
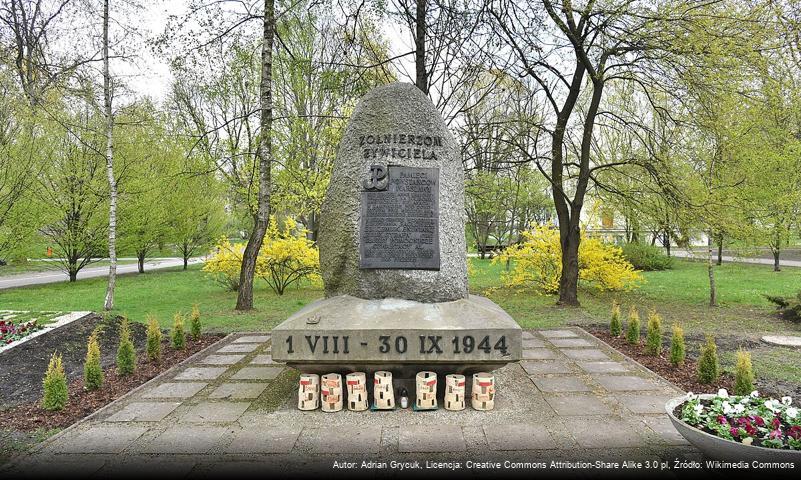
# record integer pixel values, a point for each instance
(244, 299)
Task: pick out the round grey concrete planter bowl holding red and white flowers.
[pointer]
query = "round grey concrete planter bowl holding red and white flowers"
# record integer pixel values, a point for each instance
(717, 448)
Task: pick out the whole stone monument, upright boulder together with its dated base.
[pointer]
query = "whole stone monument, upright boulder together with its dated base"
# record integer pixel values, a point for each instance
(393, 255)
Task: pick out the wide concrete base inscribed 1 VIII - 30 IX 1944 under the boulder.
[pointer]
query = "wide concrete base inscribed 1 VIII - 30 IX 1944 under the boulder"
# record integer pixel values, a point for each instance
(346, 333)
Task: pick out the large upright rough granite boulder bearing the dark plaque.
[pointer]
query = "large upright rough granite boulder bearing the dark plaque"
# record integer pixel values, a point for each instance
(395, 126)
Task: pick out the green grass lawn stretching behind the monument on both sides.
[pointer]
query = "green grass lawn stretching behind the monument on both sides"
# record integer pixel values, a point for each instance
(680, 295)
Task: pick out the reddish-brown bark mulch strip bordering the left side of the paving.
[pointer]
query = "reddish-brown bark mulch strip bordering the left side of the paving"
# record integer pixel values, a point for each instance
(31, 416)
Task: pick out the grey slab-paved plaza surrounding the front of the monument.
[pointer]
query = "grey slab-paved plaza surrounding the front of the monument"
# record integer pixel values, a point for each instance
(572, 398)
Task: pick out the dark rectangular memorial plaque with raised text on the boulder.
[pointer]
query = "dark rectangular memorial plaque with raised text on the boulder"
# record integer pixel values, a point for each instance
(399, 225)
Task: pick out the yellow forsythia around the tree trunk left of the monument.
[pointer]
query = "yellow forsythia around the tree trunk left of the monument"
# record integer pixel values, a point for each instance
(286, 257)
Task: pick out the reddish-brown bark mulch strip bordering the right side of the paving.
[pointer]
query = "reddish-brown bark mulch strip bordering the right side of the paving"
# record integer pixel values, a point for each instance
(684, 376)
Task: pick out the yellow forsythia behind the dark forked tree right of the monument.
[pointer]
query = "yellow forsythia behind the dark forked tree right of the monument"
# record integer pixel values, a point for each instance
(538, 263)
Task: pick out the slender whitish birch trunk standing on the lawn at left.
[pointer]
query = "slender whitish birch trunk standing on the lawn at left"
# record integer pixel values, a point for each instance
(108, 304)
